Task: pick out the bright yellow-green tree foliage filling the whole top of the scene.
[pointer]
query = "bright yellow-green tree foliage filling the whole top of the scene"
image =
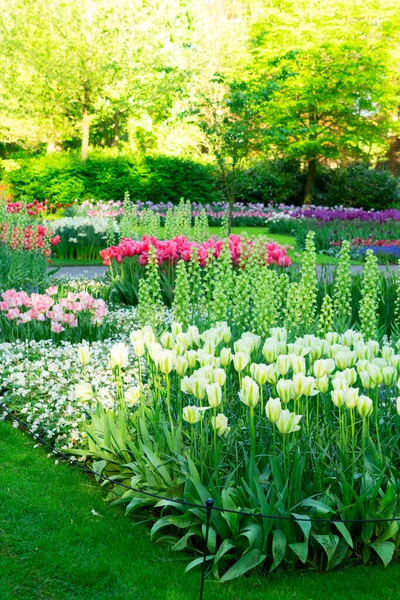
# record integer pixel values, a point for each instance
(101, 73)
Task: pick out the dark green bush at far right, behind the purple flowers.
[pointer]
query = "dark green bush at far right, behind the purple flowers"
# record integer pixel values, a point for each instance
(356, 186)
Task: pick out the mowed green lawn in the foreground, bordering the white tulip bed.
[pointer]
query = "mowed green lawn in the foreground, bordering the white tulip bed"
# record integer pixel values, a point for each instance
(53, 548)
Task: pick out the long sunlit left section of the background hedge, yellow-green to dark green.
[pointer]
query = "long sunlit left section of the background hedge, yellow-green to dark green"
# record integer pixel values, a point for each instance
(63, 177)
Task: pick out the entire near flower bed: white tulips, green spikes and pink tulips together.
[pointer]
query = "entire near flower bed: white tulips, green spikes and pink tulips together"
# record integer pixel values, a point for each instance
(257, 394)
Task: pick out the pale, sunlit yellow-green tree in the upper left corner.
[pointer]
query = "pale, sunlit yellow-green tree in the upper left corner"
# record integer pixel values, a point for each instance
(80, 61)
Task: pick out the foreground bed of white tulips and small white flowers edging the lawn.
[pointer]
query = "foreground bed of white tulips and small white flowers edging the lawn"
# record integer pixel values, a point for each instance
(305, 430)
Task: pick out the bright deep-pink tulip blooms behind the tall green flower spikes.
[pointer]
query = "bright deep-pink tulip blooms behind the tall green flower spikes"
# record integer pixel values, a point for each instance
(181, 248)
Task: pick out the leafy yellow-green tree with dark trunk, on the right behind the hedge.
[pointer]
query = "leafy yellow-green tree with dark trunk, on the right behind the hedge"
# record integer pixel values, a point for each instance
(333, 95)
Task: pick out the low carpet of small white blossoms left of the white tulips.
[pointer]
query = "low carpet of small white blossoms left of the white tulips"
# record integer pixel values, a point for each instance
(38, 381)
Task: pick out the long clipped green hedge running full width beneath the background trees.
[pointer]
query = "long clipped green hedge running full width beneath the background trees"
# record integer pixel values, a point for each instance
(63, 177)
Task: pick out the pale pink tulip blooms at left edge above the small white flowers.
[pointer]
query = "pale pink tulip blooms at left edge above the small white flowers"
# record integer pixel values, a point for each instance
(62, 311)
